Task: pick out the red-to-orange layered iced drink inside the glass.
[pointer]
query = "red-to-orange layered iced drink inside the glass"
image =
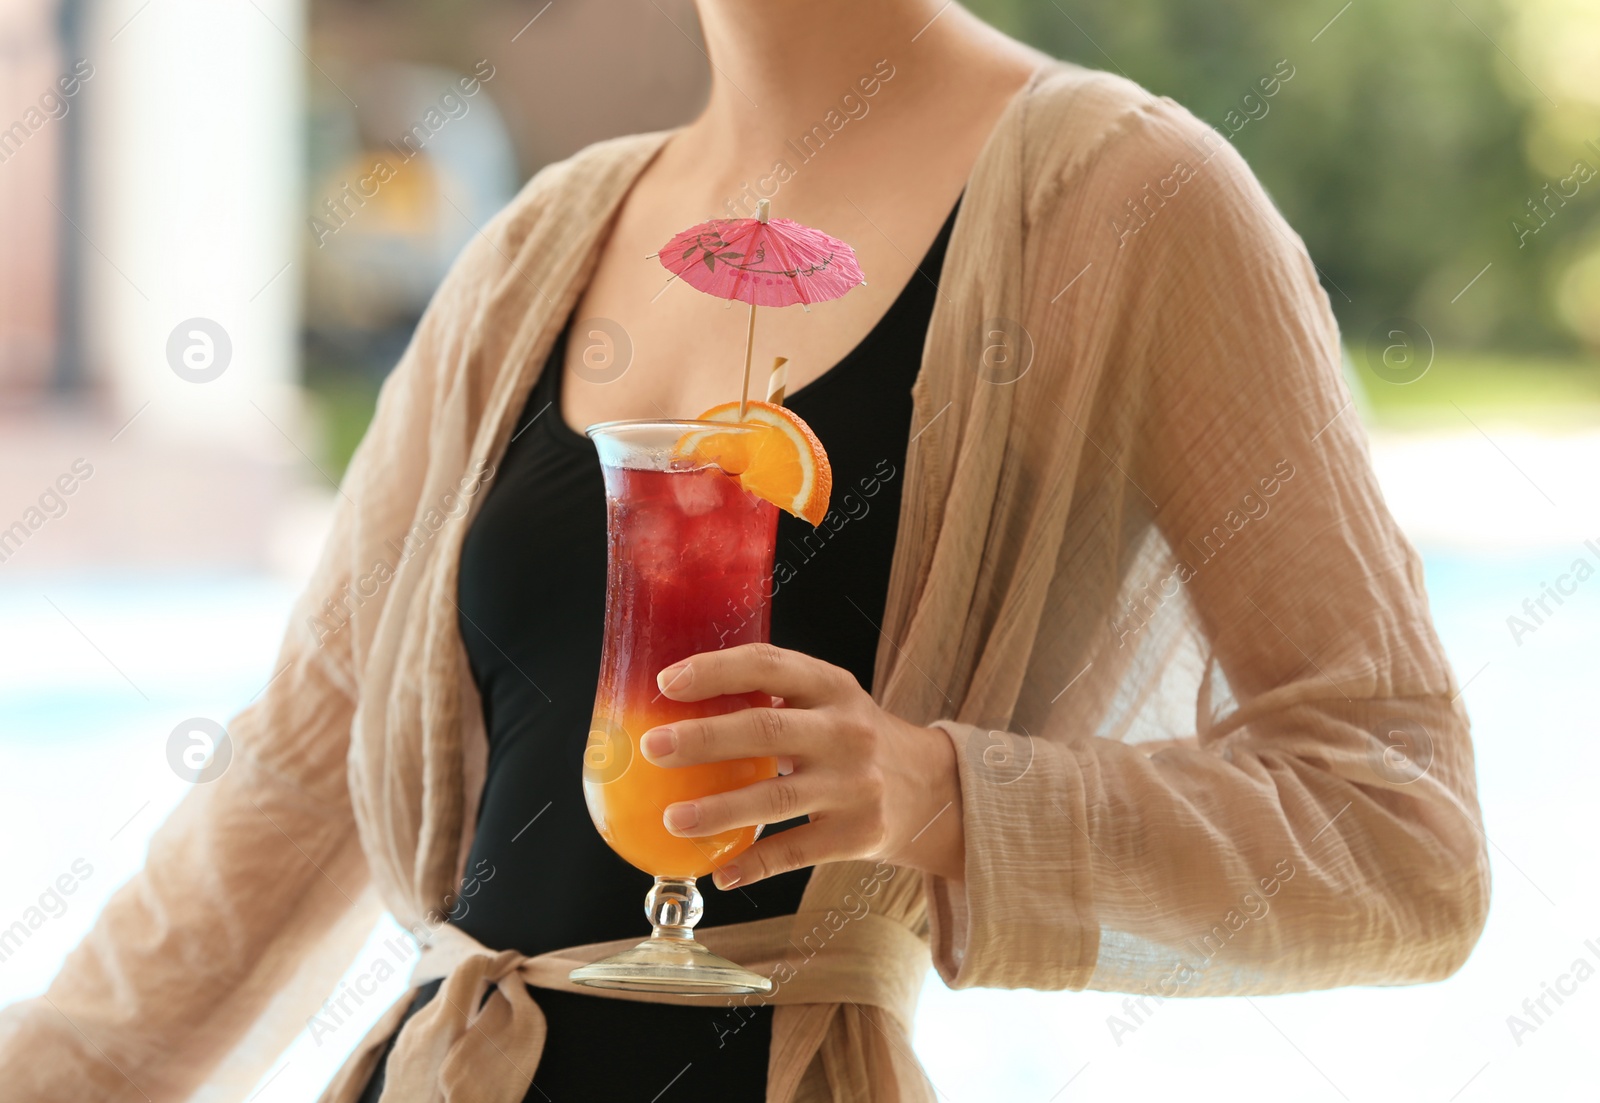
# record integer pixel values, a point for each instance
(690, 571)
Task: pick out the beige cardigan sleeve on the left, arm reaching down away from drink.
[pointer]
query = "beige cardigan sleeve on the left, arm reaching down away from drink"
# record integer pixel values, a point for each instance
(249, 876)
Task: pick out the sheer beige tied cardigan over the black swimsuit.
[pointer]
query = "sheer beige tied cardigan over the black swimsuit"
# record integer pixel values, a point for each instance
(1209, 740)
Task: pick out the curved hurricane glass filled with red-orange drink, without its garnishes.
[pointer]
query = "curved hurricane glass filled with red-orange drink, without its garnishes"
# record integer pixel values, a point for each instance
(690, 561)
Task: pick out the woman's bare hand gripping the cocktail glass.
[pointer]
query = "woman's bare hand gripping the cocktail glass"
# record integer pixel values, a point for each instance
(876, 787)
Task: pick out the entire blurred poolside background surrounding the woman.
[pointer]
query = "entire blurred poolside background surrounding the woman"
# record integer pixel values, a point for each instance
(222, 220)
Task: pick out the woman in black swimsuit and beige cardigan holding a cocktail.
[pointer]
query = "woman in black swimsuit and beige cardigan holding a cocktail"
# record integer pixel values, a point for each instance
(1156, 704)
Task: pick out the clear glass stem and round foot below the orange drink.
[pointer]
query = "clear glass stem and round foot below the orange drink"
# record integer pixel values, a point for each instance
(671, 961)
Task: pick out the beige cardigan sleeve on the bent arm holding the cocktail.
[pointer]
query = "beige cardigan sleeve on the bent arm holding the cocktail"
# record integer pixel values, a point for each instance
(1314, 824)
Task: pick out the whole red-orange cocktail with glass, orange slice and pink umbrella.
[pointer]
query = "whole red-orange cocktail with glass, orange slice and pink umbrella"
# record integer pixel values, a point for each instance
(694, 515)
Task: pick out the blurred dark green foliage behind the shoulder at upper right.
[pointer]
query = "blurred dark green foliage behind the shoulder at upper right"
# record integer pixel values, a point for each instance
(1394, 151)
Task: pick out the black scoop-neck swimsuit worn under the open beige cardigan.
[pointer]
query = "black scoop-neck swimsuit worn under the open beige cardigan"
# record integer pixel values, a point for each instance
(532, 600)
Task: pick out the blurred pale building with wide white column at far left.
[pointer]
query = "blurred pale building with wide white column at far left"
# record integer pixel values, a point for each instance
(153, 313)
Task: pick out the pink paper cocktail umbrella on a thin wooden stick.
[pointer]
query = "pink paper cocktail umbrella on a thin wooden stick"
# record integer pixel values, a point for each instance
(762, 262)
